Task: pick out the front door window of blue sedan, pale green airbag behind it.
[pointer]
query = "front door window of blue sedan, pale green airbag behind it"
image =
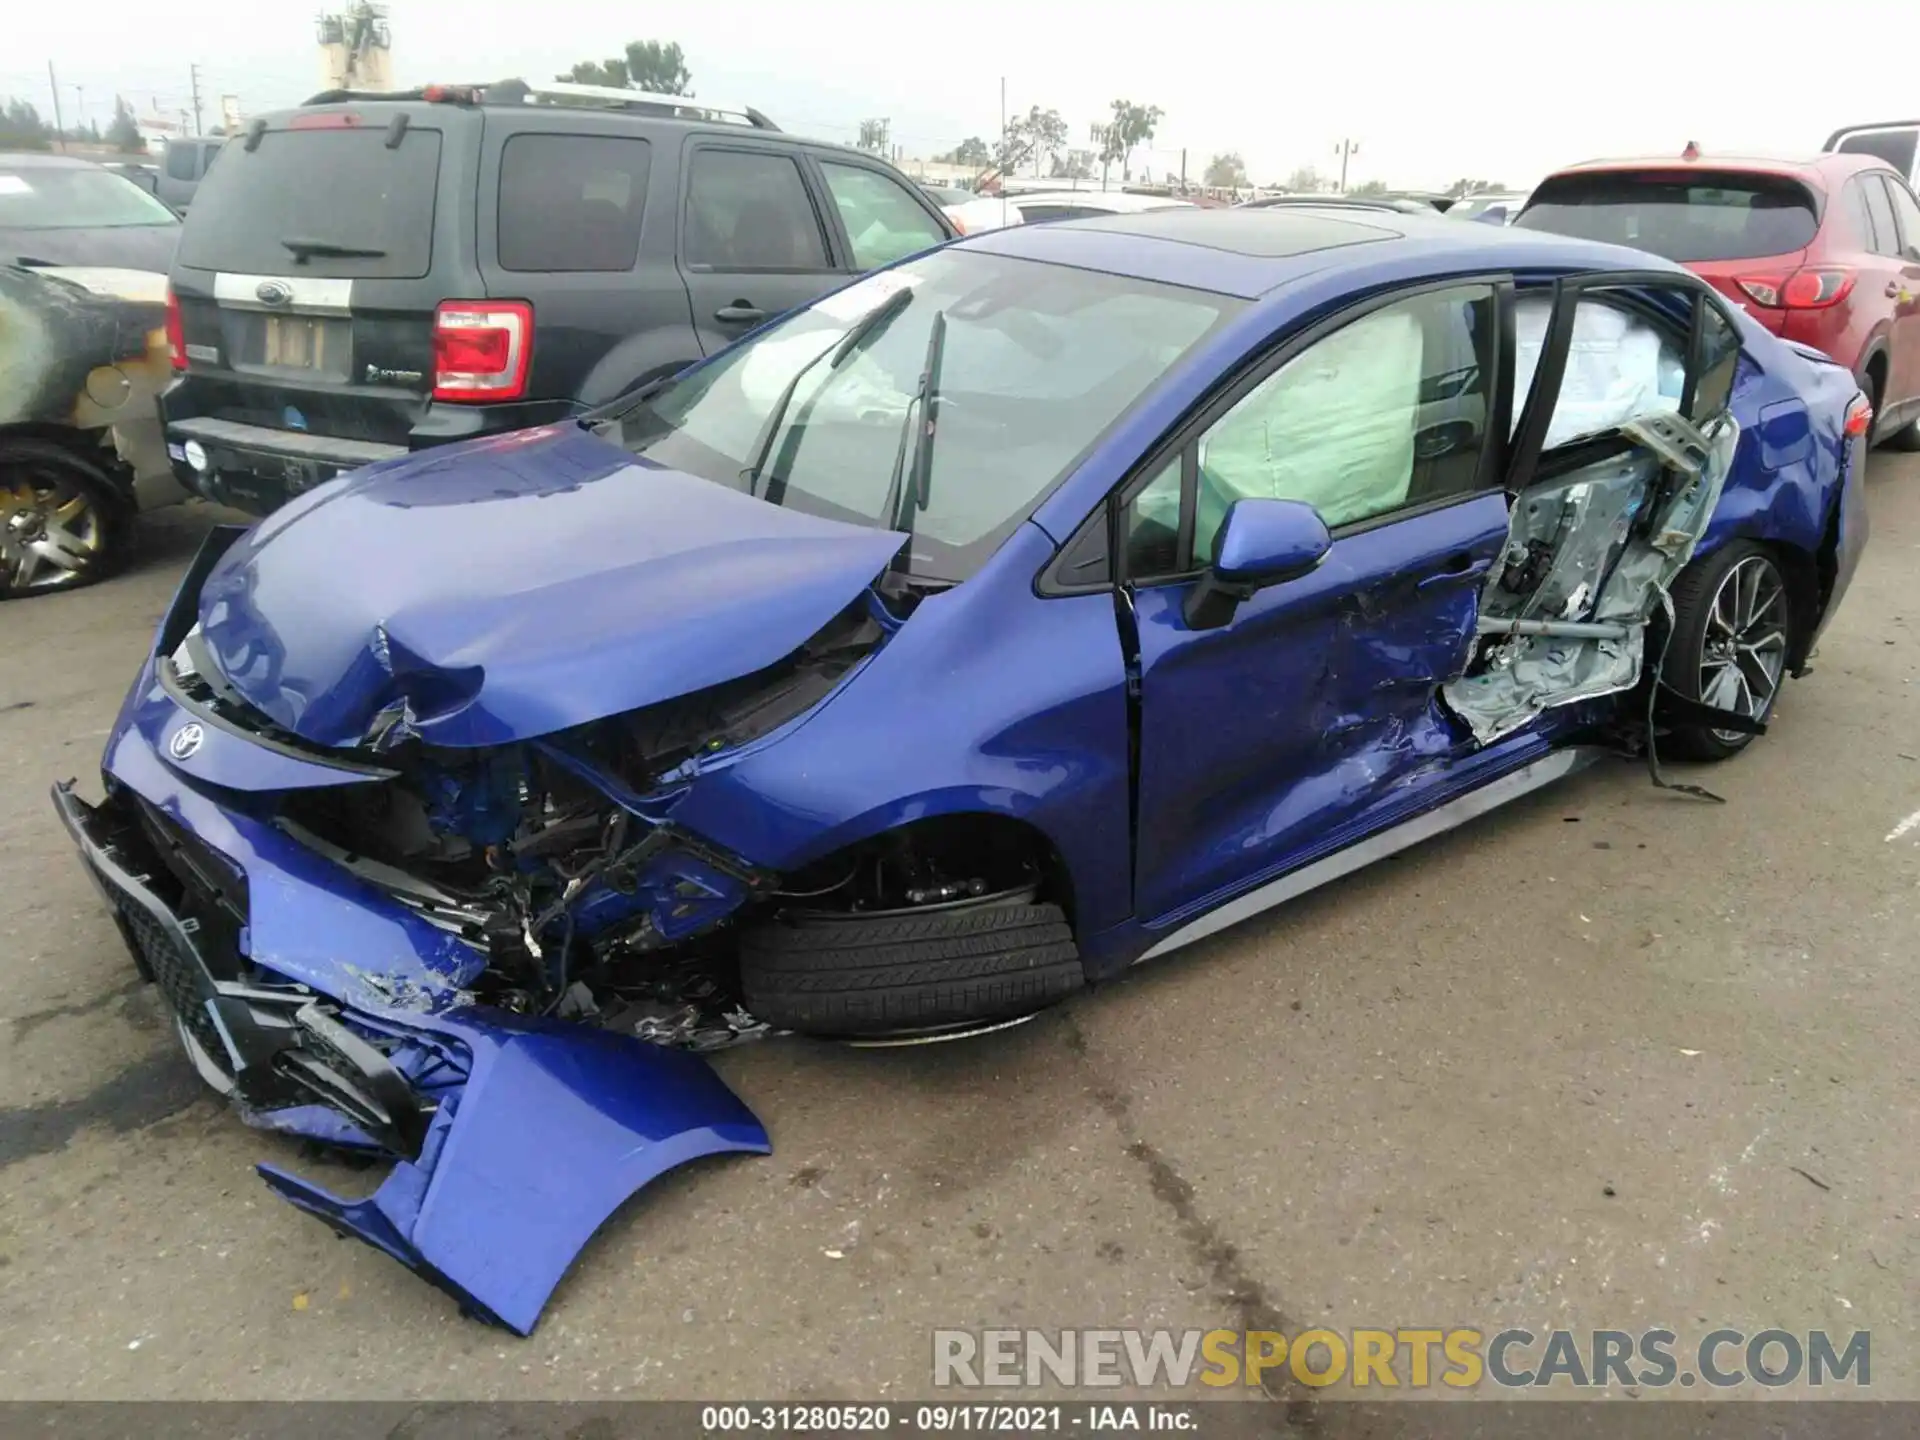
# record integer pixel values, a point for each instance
(1383, 414)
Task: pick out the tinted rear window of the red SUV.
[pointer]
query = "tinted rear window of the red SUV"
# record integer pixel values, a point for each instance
(1679, 218)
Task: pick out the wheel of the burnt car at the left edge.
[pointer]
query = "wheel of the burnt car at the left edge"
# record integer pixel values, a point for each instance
(62, 523)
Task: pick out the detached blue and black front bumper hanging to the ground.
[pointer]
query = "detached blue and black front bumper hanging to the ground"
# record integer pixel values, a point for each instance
(514, 1138)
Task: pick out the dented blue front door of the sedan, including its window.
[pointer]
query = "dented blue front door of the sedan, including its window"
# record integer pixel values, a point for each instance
(1266, 740)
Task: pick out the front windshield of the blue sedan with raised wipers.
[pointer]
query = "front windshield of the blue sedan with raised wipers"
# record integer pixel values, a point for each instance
(1038, 362)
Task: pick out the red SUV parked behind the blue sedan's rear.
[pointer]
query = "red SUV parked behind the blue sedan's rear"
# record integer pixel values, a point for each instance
(1825, 252)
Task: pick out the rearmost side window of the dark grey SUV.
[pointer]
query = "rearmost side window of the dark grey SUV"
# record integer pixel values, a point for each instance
(571, 203)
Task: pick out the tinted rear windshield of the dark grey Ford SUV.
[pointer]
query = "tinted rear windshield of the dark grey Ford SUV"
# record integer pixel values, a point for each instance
(327, 187)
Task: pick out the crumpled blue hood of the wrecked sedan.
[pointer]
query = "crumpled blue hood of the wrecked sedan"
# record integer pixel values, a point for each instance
(517, 587)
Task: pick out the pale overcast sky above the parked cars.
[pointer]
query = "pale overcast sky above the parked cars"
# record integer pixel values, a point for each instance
(1495, 89)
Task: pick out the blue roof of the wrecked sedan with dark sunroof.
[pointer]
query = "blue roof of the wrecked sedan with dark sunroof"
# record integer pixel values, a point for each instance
(1251, 252)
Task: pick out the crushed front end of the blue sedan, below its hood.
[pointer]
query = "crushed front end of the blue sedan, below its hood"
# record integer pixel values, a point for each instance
(489, 965)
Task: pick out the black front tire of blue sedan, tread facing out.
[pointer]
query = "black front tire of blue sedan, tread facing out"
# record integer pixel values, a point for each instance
(905, 972)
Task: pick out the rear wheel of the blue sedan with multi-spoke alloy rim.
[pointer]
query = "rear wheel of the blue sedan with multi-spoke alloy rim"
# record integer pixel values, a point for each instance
(1731, 642)
